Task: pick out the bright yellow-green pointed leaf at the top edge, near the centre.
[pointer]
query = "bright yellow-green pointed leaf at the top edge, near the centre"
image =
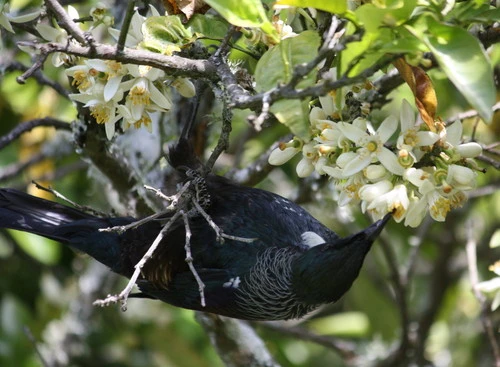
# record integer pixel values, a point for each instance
(244, 13)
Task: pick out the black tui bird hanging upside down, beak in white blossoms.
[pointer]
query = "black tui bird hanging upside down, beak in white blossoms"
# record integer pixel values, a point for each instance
(293, 265)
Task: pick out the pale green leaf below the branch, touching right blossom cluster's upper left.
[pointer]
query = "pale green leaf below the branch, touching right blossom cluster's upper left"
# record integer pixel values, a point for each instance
(294, 114)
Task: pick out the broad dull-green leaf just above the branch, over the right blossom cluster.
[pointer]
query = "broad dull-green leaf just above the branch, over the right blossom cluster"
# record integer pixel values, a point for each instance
(276, 65)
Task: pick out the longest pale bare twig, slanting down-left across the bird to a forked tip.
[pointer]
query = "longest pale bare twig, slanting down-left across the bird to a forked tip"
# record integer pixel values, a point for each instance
(124, 294)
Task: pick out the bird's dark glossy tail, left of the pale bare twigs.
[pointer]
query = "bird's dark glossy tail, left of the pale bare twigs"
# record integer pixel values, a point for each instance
(61, 223)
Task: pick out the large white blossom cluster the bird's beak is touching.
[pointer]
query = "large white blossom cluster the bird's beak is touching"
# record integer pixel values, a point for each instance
(416, 173)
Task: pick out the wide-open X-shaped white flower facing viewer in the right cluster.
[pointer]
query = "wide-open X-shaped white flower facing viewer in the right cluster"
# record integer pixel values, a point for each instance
(371, 147)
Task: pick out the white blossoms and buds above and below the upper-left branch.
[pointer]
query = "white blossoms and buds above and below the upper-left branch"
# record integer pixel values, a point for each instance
(111, 90)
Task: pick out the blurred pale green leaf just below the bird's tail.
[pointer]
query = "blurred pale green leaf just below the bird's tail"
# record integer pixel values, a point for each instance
(44, 250)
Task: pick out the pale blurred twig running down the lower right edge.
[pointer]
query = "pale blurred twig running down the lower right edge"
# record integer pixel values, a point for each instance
(486, 321)
